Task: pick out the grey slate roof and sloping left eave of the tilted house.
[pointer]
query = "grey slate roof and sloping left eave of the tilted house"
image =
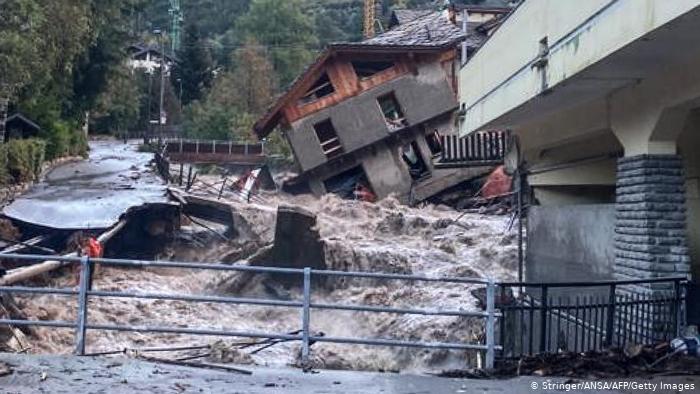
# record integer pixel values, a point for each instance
(429, 33)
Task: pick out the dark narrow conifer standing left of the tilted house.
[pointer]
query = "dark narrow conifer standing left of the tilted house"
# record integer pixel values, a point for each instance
(194, 67)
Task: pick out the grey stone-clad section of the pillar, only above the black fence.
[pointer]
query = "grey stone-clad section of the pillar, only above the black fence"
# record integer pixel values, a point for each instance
(650, 228)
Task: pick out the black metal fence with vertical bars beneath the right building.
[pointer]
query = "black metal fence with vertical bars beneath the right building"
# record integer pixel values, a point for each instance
(579, 317)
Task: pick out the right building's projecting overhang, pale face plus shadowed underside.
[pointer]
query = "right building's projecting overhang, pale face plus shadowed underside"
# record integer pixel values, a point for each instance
(618, 44)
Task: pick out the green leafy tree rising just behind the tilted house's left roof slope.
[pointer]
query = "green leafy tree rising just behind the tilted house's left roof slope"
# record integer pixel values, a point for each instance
(285, 30)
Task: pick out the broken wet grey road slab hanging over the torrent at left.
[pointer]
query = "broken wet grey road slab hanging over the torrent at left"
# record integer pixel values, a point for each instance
(92, 193)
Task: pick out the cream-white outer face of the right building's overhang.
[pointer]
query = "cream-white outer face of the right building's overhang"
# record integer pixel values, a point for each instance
(500, 76)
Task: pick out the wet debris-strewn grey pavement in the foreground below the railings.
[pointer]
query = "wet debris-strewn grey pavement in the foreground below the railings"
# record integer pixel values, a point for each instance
(65, 374)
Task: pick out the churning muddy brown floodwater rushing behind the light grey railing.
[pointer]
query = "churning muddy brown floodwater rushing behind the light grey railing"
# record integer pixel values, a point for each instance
(383, 237)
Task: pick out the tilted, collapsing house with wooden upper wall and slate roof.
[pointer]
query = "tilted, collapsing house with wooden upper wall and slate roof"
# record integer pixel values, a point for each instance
(373, 113)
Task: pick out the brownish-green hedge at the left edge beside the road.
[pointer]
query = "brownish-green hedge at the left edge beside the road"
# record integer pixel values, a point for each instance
(21, 160)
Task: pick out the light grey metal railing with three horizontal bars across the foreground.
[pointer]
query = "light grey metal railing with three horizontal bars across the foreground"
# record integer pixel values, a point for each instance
(83, 293)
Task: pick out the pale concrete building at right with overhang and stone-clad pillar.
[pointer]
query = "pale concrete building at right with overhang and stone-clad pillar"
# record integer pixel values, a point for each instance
(605, 98)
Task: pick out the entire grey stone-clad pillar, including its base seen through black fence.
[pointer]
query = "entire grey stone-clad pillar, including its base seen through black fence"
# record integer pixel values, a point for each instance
(650, 237)
